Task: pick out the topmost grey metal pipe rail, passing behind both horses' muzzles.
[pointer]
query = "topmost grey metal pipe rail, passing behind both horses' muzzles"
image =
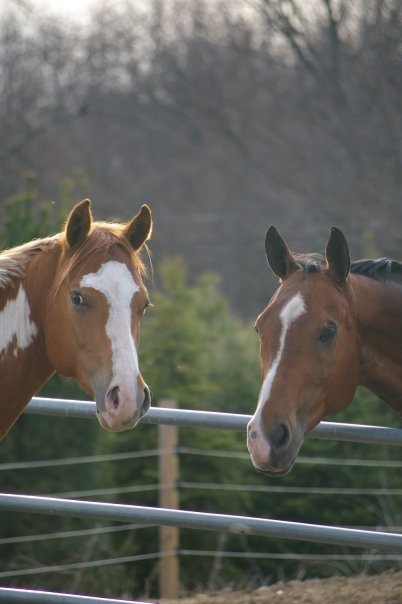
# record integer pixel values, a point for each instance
(225, 421)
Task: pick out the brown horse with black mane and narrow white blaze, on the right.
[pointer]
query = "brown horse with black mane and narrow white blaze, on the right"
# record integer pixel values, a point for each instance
(330, 326)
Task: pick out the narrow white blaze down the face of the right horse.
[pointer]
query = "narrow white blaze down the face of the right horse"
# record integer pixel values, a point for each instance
(289, 313)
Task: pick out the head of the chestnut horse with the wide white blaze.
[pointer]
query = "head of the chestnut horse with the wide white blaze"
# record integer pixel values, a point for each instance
(94, 311)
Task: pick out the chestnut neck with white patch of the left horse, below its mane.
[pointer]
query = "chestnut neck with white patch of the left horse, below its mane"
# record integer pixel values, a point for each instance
(24, 366)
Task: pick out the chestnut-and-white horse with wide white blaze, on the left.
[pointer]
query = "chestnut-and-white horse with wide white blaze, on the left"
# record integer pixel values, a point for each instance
(72, 303)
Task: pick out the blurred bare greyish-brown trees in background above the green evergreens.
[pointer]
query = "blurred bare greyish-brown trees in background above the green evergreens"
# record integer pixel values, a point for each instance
(225, 119)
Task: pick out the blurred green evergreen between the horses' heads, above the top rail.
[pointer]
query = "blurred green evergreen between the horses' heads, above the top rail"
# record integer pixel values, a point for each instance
(193, 349)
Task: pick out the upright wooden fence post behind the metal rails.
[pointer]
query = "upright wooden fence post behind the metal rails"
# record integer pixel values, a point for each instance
(168, 498)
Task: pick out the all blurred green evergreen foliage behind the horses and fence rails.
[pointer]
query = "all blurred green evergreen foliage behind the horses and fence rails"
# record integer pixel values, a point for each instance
(196, 351)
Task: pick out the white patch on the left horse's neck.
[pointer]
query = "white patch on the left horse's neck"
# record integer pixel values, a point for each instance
(15, 323)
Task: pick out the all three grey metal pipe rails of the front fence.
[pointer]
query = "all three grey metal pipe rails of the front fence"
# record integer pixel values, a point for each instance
(185, 519)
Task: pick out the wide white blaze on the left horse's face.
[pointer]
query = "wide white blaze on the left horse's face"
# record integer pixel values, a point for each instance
(116, 283)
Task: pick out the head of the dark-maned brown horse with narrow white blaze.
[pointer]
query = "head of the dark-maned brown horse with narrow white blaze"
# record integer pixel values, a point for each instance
(309, 354)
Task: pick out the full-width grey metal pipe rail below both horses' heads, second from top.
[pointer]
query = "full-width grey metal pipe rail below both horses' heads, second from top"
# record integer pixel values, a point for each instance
(200, 520)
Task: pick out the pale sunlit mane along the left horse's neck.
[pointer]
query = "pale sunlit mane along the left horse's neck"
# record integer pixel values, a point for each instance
(14, 261)
